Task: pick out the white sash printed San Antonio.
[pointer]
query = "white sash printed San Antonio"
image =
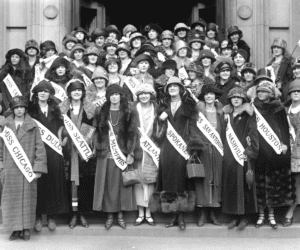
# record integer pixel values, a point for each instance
(211, 134)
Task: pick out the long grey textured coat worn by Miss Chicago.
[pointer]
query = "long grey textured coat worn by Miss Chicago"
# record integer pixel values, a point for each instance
(19, 197)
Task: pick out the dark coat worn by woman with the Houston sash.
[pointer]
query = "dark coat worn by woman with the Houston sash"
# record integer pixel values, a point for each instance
(273, 172)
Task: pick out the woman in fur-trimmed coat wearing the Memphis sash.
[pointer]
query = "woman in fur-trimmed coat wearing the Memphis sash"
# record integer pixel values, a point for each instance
(110, 195)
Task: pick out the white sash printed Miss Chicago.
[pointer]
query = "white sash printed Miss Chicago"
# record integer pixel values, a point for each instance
(17, 153)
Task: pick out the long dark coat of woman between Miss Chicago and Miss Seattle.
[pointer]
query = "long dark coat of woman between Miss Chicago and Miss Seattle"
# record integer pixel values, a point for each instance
(53, 193)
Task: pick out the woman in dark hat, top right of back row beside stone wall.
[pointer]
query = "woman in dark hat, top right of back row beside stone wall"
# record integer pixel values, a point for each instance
(235, 40)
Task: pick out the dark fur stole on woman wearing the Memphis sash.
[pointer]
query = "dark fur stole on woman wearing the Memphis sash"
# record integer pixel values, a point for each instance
(127, 128)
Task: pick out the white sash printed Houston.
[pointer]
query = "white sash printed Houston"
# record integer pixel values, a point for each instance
(267, 132)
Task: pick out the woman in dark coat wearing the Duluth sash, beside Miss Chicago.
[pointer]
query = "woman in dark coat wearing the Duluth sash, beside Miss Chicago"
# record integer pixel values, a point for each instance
(52, 192)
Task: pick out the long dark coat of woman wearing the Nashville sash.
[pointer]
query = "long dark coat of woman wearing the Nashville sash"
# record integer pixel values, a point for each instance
(237, 198)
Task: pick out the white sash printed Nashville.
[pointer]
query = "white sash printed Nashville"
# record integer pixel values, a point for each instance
(234, 143)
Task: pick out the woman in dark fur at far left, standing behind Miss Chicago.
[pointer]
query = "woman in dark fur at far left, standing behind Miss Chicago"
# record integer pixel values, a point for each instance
(20, 72)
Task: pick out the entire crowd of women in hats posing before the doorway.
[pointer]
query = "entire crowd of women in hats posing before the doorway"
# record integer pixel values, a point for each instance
(151, 121)
